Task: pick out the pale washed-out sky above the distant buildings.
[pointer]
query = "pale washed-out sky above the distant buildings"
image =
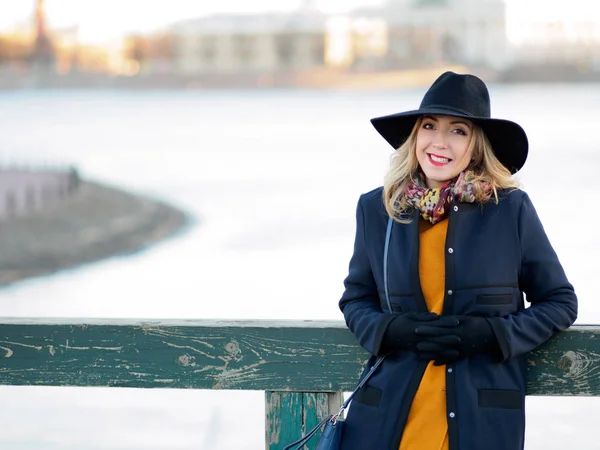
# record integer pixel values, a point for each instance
(104, 20)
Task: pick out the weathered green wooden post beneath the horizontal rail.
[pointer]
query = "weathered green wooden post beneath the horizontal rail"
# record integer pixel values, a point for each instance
(289, 415)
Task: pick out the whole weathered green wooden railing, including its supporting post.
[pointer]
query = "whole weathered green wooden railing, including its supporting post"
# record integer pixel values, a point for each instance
(303, 366)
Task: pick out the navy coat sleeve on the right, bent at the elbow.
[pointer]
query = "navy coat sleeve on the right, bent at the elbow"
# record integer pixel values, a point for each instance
(542, 278)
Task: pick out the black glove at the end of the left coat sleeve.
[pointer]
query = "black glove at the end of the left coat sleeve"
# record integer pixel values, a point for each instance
(401, 332)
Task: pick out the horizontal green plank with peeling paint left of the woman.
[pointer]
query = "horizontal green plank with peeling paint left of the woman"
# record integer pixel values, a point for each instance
(198, 355)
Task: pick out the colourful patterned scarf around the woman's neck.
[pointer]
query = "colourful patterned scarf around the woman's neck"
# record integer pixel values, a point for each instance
(434, 203)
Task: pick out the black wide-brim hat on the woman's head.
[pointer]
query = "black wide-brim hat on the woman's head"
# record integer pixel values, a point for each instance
(460, 96)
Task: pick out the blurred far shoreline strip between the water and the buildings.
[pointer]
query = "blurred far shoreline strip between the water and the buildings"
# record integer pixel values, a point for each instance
(324, 78)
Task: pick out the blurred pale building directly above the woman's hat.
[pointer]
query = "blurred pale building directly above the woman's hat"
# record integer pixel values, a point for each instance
(434, 32)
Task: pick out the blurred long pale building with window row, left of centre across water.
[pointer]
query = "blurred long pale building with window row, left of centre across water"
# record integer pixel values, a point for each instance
(250, 43)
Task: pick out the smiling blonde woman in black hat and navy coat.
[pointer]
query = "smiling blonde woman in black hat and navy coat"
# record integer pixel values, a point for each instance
(443, 254)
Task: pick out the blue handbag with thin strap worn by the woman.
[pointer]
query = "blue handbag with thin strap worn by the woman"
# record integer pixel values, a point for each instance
(331, 436)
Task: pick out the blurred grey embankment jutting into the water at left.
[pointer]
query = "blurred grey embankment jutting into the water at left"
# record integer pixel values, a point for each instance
(51, 220)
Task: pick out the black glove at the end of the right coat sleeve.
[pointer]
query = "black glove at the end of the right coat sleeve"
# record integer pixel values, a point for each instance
(472, 336)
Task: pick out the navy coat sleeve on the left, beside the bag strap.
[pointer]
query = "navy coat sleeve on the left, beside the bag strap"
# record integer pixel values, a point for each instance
(360, 301)
